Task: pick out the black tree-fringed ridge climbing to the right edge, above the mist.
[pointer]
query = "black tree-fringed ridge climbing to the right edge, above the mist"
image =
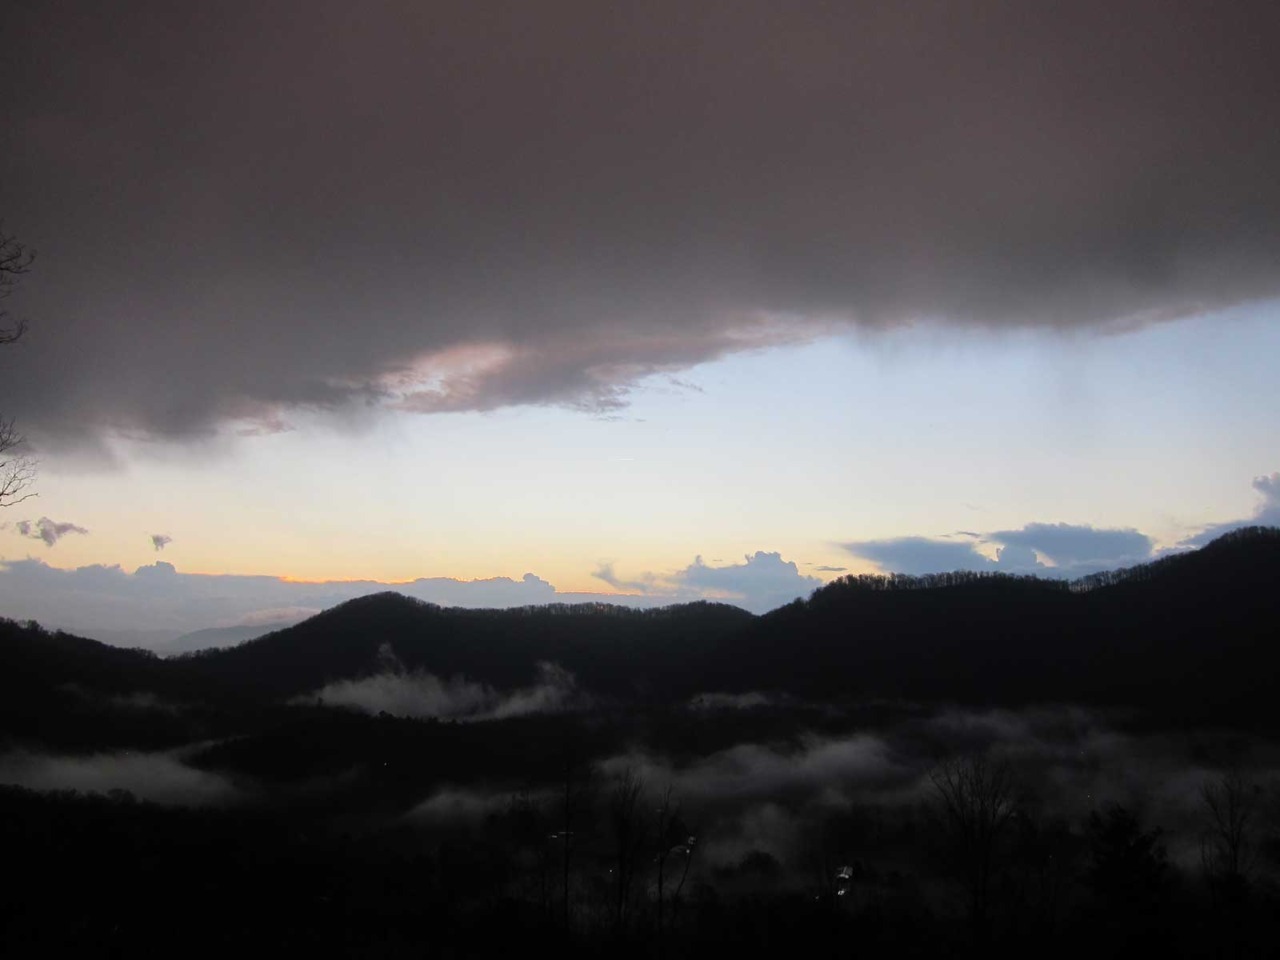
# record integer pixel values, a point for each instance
(1191, 637)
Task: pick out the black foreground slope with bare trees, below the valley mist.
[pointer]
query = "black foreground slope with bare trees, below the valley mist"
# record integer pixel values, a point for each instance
(612, 865)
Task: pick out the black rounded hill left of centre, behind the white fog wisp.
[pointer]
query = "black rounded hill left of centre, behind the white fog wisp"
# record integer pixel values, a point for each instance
(614, 651)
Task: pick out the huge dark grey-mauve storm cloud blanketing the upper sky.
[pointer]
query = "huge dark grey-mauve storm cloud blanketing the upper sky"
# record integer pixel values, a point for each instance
(246, 209)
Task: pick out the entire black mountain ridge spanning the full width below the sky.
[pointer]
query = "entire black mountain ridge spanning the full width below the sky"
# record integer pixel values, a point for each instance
(1191, 636)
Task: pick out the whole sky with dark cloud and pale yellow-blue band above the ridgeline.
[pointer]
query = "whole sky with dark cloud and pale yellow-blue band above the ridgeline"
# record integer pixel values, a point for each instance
(659, 301)
